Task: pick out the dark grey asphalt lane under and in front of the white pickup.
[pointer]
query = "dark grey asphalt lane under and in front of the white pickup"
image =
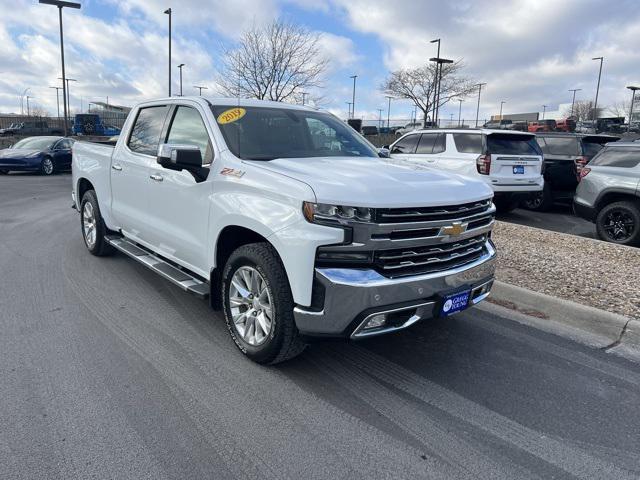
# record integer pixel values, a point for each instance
(108, 371)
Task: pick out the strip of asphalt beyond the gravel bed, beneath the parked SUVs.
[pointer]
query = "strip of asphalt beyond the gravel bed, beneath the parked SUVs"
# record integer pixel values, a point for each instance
(559, 219)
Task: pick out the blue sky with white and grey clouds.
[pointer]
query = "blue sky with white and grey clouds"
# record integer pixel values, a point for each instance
(530, 52)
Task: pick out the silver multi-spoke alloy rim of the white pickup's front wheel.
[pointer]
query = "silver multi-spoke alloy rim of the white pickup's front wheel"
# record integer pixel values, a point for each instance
(251, 305)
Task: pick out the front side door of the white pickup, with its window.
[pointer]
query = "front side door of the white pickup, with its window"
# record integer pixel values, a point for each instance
(178, 208)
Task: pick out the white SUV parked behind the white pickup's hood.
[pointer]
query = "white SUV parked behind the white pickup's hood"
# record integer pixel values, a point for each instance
(510, 162)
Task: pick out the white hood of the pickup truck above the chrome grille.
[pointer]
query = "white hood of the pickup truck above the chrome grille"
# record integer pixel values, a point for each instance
(378, 183)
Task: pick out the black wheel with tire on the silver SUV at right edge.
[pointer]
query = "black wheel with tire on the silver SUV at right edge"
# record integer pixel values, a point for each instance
(619, 222)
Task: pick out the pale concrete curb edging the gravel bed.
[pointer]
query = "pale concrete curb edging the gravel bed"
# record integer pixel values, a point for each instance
(587, 325)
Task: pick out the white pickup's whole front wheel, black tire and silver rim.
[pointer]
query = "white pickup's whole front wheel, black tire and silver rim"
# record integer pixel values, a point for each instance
(258, 305)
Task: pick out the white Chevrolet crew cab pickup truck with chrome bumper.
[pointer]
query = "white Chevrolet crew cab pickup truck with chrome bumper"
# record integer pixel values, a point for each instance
(287, 219)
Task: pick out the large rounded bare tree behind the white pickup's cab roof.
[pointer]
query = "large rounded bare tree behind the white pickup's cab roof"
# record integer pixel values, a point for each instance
(277, 62)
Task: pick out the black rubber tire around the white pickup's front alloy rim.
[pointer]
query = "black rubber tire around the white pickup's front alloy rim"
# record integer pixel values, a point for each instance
(283, 341)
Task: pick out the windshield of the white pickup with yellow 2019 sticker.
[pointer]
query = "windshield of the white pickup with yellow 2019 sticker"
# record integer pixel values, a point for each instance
(267, 133)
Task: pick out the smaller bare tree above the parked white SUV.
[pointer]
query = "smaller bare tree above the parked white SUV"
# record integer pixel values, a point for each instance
(418, 84)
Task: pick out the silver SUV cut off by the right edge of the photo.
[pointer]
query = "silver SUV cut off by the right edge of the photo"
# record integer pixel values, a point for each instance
(609, 193)
